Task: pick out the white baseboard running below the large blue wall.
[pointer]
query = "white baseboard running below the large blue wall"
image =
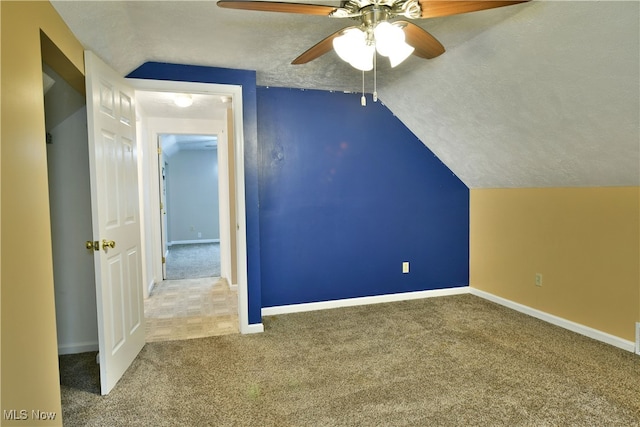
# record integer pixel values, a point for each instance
(351, 302)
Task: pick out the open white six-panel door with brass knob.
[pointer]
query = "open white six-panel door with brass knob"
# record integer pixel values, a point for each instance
(116, 222)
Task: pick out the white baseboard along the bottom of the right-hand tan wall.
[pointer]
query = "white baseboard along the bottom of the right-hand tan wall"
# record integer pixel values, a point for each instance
(558, 321)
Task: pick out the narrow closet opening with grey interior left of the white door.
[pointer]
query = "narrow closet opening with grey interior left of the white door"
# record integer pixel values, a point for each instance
(70, 213)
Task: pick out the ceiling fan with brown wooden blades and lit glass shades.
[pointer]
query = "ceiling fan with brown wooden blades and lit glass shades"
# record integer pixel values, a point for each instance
(375, 32)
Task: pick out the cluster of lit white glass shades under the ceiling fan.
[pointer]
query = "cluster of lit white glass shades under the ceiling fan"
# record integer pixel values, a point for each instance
(358, 47)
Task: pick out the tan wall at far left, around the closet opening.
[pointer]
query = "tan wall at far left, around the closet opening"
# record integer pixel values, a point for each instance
(30, 378)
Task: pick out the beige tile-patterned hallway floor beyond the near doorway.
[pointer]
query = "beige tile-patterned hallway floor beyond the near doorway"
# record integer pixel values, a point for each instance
(191, 308)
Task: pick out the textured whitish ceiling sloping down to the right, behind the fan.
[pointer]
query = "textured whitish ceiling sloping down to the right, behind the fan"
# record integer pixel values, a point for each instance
(541, 94)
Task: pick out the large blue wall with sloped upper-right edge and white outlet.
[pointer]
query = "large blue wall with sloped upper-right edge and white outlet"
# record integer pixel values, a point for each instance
(346, 195)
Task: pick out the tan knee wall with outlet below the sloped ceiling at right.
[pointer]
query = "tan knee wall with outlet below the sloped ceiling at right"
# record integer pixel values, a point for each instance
(584, 241)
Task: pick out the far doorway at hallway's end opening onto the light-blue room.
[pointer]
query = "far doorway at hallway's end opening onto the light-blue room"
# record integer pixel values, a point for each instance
(190, 214)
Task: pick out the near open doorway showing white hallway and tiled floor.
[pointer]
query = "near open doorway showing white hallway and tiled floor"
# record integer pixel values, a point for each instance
(191, 182)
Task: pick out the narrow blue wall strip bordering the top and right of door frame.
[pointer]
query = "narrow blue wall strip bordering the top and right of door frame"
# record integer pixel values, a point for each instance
(246, 79)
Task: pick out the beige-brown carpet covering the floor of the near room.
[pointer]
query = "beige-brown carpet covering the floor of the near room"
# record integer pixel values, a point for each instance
(449, 361)
